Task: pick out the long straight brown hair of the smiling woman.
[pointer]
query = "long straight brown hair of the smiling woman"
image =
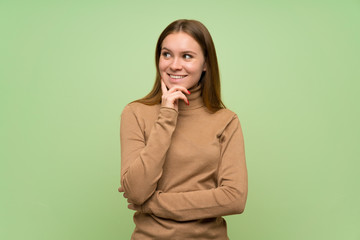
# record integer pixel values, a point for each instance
(210, 79)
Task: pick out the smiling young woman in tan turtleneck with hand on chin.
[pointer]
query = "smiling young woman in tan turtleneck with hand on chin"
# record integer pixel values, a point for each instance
(182, 152)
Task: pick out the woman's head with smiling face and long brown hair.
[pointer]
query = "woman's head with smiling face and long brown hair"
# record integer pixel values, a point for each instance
(185, 55)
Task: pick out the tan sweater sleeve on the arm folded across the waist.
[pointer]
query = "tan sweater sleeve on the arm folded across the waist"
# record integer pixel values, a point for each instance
(229, 197)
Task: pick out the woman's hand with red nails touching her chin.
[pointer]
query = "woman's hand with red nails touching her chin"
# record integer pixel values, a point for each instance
(171, 97)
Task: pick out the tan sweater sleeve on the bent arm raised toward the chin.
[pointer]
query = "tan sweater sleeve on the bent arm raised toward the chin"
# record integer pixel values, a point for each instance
(142, 161)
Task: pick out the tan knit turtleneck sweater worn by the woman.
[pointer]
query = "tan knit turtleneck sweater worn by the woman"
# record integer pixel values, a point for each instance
(186, 169)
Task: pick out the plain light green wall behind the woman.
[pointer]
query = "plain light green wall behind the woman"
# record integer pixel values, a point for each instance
(290, 70)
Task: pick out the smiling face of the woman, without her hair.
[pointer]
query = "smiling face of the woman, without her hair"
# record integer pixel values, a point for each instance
(181, 60)
